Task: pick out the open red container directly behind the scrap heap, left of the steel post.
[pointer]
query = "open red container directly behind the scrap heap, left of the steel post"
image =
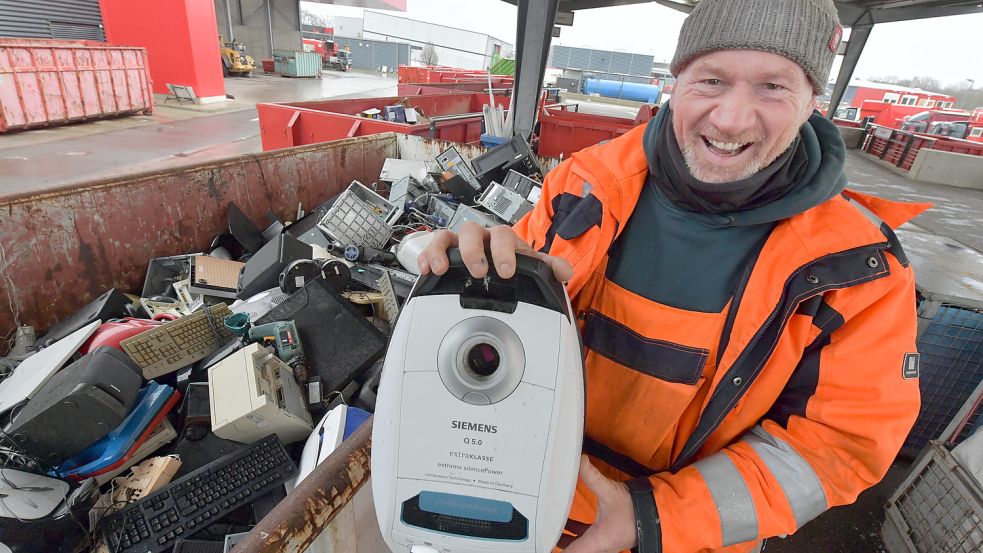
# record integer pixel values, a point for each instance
(294, 124)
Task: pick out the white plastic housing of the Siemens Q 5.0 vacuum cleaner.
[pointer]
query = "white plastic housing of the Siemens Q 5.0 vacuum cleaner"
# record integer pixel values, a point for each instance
(530, 460)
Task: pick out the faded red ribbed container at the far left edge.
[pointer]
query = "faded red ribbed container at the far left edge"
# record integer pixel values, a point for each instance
(53, 82)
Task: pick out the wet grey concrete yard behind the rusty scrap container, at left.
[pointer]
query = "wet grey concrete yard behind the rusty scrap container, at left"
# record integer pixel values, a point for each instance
(175, 134)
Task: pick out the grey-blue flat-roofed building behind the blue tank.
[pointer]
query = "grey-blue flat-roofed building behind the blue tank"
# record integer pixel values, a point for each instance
(583, 63)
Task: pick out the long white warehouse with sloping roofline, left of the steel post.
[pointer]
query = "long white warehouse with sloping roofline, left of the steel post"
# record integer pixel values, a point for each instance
(454, 47)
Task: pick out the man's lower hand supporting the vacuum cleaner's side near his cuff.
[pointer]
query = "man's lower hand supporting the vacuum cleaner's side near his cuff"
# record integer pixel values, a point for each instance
(614, 528)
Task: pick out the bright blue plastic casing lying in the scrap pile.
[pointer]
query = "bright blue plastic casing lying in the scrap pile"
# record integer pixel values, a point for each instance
(111, 448)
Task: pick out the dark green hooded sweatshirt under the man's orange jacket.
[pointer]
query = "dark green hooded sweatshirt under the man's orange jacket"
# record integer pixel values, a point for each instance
(693, 260)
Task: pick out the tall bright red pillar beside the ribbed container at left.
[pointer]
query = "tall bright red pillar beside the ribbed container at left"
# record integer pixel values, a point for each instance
(181, 38)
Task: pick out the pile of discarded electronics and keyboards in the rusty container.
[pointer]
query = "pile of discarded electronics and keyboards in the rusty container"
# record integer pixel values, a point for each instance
(182, 415)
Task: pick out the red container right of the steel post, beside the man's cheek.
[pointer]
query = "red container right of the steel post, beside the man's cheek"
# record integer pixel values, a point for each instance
(563, 132)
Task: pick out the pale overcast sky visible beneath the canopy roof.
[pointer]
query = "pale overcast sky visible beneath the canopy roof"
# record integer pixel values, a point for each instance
(946, 48)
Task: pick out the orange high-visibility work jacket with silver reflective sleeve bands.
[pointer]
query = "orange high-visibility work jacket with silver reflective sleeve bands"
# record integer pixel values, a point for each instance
(815, 384)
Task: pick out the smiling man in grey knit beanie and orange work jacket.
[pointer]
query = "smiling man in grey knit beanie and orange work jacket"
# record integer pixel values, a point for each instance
(749, 333)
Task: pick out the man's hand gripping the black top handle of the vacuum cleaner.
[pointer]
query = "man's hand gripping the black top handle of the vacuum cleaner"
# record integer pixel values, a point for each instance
(504, 244)
